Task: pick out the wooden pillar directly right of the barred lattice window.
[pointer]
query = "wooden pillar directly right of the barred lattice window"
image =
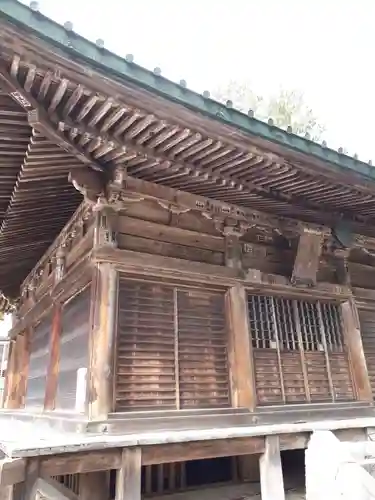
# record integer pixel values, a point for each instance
(353, 340)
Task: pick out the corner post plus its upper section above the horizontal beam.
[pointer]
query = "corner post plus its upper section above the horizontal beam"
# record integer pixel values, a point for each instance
(103, 334)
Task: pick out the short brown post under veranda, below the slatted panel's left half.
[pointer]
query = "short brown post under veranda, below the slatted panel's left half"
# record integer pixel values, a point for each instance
(128, 481)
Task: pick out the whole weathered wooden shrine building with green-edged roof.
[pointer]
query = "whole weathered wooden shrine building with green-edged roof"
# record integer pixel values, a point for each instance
(192, 289)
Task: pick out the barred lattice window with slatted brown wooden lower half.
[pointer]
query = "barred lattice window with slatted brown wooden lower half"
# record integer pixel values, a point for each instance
(299, 351)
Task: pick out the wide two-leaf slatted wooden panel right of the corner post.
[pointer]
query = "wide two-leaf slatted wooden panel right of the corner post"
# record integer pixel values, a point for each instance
(171, 348)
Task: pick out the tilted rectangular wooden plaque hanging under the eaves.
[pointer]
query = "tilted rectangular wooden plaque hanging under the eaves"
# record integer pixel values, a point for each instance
(307, 260)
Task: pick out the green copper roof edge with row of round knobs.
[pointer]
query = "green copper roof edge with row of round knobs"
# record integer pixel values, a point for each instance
(63, 37)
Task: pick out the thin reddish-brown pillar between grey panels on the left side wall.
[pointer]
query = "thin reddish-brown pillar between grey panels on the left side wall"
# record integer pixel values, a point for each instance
(54, 360)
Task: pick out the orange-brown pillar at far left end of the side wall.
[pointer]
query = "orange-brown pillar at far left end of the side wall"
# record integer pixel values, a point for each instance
(17, 370)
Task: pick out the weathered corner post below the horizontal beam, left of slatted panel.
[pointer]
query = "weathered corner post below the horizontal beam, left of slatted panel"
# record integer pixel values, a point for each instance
(102, 342)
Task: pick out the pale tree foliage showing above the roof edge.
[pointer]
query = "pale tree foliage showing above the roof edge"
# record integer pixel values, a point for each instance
(287, 108)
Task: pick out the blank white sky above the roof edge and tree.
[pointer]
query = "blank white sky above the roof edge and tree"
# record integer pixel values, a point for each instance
(324, 48)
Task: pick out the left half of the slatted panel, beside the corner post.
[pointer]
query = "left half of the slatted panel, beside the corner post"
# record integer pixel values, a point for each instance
(145, 350)
